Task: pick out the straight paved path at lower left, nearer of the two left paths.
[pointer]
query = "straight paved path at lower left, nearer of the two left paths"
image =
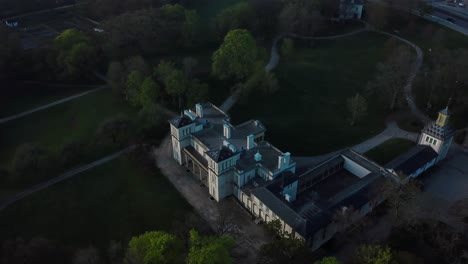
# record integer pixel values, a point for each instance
(61, 178)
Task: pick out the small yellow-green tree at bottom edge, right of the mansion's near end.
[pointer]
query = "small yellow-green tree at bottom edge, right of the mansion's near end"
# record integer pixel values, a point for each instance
(374, 254)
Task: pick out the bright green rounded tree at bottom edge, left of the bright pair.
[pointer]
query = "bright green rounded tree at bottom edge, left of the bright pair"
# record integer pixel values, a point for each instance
(154, 247)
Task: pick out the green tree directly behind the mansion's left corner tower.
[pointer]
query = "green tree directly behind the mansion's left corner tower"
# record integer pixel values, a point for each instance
(173, 79)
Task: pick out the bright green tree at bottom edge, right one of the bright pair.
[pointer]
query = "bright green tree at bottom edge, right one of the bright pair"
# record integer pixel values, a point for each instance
(210, 250)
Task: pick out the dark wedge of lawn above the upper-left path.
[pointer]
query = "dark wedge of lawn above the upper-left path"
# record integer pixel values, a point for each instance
(29, 96)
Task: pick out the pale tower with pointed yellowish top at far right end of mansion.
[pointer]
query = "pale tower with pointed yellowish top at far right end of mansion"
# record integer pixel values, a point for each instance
(438, 134)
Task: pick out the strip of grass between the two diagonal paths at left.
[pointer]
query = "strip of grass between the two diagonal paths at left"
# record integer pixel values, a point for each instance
(74, 121)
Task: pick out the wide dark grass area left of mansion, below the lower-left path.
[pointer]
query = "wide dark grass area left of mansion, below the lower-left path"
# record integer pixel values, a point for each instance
(115, 201)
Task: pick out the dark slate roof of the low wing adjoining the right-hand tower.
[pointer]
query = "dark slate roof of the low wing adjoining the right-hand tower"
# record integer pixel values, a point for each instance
(414, 159)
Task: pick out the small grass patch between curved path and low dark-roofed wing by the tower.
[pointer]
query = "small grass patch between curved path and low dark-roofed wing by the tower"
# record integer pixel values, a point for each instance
(389, 150)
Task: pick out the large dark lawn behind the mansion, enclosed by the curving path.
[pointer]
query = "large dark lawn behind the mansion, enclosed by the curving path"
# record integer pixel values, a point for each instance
(308, 115)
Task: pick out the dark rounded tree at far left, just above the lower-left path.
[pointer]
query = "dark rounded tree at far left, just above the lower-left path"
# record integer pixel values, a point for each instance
(29, 160)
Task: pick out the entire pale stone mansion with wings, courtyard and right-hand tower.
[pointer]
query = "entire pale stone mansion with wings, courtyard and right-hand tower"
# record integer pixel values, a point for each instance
(235, 160)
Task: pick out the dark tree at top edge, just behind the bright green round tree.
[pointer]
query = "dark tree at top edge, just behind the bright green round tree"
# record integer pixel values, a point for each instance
(237, 16)
